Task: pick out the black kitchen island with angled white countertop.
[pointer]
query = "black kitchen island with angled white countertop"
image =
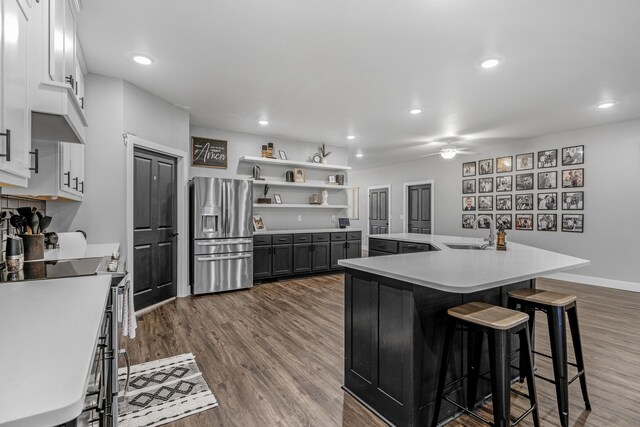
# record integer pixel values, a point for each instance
(395, 315)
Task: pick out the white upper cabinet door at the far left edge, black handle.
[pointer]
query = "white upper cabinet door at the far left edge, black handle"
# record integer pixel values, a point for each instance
(15, 123)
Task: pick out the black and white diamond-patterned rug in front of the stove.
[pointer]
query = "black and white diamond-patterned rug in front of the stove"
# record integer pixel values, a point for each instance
(162, 391)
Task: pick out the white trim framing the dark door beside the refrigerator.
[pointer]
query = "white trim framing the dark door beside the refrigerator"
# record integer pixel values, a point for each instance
(182, 181)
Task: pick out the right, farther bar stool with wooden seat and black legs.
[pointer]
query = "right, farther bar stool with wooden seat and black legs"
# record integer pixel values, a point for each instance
(555, 305)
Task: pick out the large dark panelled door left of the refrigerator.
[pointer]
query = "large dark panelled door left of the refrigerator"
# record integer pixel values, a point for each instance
(154, 228)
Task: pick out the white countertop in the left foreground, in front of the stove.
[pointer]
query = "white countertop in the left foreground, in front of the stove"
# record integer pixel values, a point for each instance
(48, 333)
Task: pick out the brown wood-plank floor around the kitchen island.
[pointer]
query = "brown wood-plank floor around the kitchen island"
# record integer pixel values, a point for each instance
(273, 355)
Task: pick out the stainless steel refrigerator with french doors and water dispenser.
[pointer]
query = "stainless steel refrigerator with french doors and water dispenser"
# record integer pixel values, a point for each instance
(221, 234)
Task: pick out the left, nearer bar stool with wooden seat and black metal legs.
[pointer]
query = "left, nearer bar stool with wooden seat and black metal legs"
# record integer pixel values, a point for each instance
(498, 323)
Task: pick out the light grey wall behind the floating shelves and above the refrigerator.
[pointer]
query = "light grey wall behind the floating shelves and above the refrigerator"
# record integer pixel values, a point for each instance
(243, 144)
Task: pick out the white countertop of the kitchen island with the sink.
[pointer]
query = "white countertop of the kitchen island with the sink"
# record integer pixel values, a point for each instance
(463, 271)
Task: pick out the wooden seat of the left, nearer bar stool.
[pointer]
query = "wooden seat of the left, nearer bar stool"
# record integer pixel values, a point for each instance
(490, 316)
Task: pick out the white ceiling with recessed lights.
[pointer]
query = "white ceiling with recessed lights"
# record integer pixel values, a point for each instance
(320, 70)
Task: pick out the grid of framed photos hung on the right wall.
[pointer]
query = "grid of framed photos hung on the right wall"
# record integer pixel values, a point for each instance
(539, 191)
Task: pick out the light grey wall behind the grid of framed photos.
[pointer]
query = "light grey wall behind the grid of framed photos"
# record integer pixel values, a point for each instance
(612, 185)
